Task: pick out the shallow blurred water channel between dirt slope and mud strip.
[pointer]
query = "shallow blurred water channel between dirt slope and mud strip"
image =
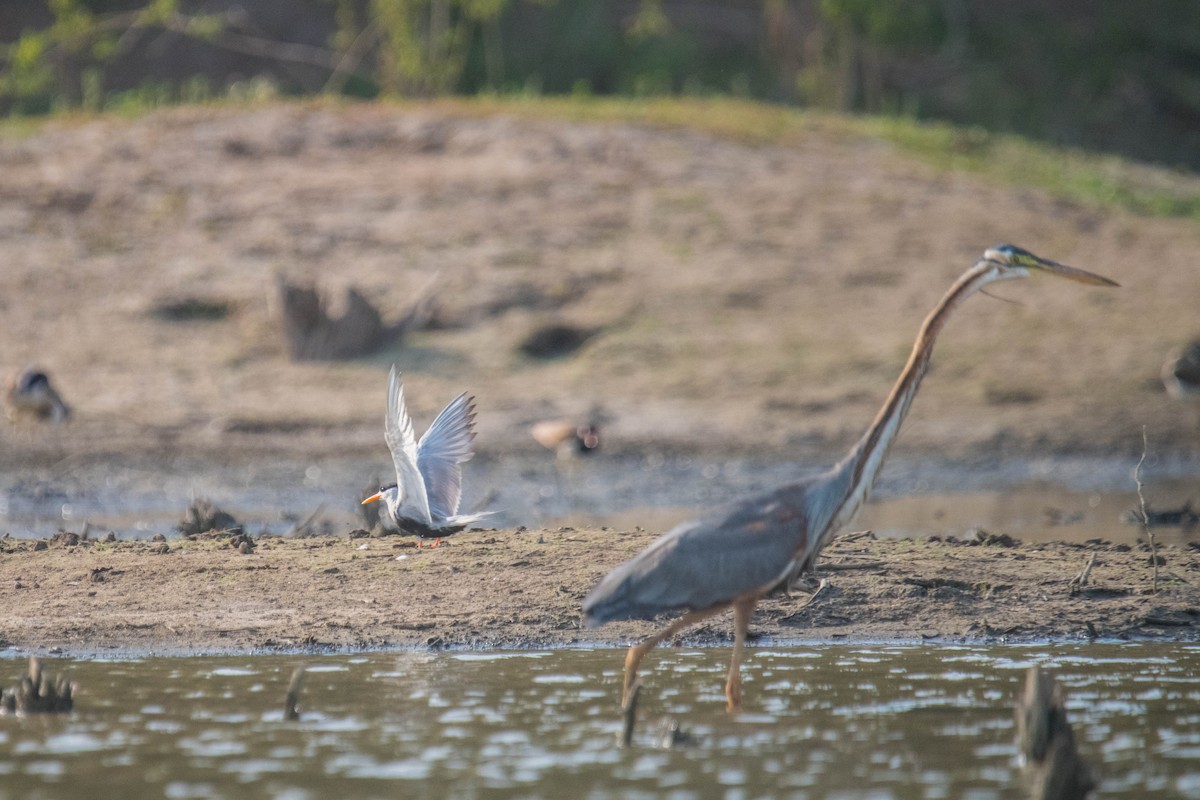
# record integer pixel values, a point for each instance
(1072, 500)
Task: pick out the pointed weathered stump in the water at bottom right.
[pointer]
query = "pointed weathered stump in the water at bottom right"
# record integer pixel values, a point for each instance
(1047, 742)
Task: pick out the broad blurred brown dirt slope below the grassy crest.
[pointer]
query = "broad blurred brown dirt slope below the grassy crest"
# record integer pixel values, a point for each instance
(741, 298)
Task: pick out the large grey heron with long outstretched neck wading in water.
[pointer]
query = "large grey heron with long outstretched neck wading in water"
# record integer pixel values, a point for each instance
(735, 556)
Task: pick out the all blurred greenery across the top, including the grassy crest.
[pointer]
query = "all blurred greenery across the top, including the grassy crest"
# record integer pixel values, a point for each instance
(1045, 71)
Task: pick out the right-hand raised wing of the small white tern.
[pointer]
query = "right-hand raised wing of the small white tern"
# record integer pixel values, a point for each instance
(442, 452)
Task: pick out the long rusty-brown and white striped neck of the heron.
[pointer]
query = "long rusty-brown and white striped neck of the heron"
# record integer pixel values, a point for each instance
(856, 473)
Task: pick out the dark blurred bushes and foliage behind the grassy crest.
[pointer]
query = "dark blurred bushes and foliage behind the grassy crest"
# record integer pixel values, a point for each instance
(1106, 76)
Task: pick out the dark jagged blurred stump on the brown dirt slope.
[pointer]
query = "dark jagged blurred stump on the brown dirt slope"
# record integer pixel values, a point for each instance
(313, 334)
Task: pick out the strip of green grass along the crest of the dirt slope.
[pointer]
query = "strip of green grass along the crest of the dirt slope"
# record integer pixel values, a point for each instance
(1101, 182)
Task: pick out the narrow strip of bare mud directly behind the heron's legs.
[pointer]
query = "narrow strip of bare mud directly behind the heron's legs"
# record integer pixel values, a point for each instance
(524, 588)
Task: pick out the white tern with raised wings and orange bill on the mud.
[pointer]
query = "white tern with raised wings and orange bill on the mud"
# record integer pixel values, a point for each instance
(424, 501)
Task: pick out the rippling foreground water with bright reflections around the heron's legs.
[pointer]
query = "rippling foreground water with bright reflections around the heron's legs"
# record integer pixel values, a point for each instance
(830, 721)
